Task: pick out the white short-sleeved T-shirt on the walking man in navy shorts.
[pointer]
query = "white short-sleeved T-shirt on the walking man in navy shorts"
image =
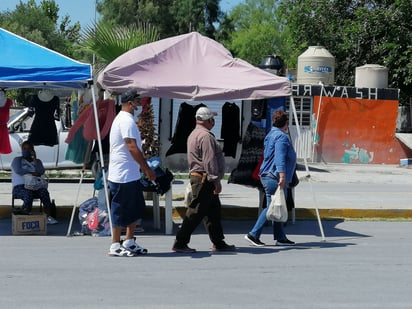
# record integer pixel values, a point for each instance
(122, 167)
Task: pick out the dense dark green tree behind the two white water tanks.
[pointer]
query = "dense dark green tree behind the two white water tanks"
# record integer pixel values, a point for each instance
(356, 33)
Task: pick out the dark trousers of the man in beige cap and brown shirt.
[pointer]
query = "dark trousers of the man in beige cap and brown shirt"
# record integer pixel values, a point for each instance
(205, 206)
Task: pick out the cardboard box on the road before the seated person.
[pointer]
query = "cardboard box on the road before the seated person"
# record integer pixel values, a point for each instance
(34, 224)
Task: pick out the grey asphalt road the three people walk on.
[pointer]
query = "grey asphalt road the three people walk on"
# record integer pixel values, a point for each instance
(362, 264)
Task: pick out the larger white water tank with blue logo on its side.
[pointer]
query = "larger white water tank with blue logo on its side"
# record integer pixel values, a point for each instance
(316, 65)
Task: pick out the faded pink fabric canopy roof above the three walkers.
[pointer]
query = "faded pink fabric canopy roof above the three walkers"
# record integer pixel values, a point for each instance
(190, 67)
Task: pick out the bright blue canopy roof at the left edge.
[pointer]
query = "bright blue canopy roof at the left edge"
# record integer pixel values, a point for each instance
(24, 64)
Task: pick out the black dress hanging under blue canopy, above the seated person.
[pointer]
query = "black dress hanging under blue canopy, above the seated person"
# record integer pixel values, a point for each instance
(43, 131)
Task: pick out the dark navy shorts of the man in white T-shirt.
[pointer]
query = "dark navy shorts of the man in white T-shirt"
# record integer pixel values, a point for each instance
(127, 204)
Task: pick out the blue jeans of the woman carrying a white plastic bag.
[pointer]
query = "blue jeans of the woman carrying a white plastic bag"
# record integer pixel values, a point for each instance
(269, 185)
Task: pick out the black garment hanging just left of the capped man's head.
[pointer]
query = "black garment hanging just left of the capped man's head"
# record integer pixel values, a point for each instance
(185, 124)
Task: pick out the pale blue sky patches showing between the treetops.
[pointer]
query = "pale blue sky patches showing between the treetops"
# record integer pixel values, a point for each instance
(83, 11)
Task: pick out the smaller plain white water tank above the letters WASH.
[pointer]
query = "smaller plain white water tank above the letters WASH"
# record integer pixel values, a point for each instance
(371, 76)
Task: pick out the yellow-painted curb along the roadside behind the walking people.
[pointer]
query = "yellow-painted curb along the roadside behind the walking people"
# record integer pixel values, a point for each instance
(247, 213)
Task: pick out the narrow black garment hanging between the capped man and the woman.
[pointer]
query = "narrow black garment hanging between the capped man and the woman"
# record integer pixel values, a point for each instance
(230, 131)
